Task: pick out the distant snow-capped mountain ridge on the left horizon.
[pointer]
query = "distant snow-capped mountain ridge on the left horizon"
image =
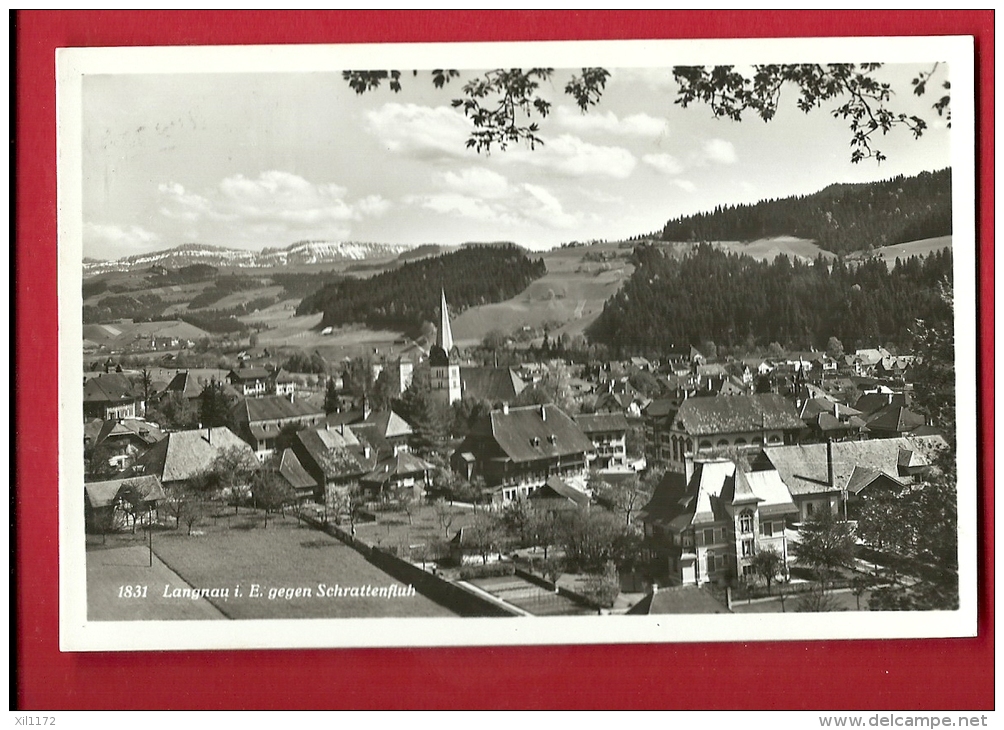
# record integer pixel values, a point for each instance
(302, 253)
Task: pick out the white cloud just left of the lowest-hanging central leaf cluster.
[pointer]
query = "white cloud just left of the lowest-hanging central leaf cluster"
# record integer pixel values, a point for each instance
(422, 132)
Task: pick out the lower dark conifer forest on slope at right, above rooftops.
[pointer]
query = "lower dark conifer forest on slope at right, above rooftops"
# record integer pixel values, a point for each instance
(735, 301)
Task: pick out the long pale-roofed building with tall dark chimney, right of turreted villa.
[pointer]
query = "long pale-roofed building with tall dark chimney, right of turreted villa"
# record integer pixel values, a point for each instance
(823, 476)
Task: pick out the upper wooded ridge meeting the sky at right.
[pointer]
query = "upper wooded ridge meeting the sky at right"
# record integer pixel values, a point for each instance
(840, 218)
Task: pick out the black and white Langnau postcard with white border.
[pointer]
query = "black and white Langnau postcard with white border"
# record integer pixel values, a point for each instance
(471, 344)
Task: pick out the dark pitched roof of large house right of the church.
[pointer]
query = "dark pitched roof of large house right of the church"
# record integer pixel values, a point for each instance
(538, 432)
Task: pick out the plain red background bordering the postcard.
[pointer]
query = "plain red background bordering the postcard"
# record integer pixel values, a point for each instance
(948, 674)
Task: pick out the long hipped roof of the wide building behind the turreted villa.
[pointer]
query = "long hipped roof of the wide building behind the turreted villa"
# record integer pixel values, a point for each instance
(737, 414)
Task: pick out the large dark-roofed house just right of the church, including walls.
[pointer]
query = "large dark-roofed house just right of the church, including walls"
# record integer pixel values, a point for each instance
(518, 449)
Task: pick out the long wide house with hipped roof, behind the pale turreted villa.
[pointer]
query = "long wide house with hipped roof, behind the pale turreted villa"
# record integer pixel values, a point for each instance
(702, 425)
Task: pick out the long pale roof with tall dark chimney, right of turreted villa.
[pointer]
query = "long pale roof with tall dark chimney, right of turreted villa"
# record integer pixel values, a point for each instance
(804, 467)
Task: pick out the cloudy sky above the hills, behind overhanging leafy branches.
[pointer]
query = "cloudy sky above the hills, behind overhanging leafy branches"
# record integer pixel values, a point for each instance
(265, 160)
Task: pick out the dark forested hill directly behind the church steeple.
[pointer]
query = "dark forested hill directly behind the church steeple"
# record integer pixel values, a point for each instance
(409, 296)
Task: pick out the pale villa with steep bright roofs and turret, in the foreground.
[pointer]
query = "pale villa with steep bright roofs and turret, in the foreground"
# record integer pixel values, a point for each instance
(707, 525)
